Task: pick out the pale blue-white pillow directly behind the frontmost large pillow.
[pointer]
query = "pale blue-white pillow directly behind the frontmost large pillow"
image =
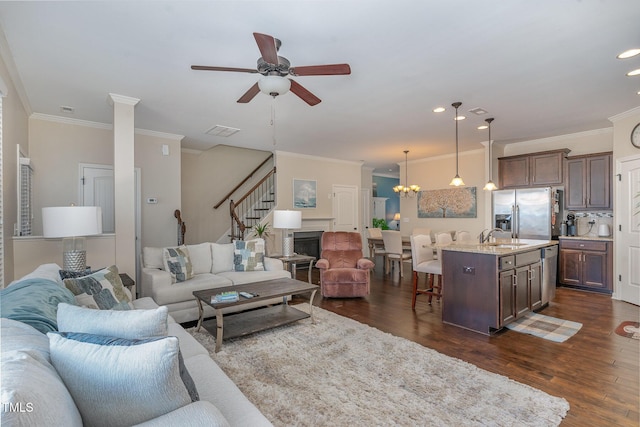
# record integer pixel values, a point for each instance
(130, 324)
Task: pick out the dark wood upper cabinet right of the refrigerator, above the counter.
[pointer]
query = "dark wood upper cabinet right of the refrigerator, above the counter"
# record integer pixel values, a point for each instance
(588, 182)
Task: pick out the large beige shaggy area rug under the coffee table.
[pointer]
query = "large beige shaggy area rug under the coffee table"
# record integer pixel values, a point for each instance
(339, 372)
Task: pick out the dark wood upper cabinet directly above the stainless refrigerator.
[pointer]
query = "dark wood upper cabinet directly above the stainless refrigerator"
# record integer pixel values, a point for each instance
(532, 170)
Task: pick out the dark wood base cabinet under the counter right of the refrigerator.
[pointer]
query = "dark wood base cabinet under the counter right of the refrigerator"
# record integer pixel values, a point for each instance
(586, 264)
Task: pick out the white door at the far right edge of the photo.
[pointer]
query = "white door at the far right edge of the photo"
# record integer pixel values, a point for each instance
(627, 230)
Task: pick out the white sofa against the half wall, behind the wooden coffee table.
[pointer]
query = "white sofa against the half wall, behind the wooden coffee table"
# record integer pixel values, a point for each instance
(213, 267)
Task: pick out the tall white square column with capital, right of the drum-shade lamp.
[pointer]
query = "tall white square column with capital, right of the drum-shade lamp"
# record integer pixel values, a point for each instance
(124, 182)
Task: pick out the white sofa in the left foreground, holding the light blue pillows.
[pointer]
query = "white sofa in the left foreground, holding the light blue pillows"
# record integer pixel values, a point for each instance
(33, 392)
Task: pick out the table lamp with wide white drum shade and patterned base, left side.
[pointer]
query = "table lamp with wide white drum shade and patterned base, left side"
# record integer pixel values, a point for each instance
(72, 223)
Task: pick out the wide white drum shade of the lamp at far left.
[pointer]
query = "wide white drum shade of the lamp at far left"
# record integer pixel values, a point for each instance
(71, 221)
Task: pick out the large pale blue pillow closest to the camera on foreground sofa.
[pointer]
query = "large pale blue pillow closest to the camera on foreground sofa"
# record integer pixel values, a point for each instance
(120, 382)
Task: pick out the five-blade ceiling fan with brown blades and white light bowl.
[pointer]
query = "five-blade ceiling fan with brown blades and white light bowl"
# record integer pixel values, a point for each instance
(275, 68)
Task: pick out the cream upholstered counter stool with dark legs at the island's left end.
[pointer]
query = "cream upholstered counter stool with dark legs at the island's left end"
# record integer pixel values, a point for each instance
(423, 262)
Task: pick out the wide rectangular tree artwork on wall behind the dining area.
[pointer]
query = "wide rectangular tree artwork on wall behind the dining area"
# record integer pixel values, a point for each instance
(448, 203)
